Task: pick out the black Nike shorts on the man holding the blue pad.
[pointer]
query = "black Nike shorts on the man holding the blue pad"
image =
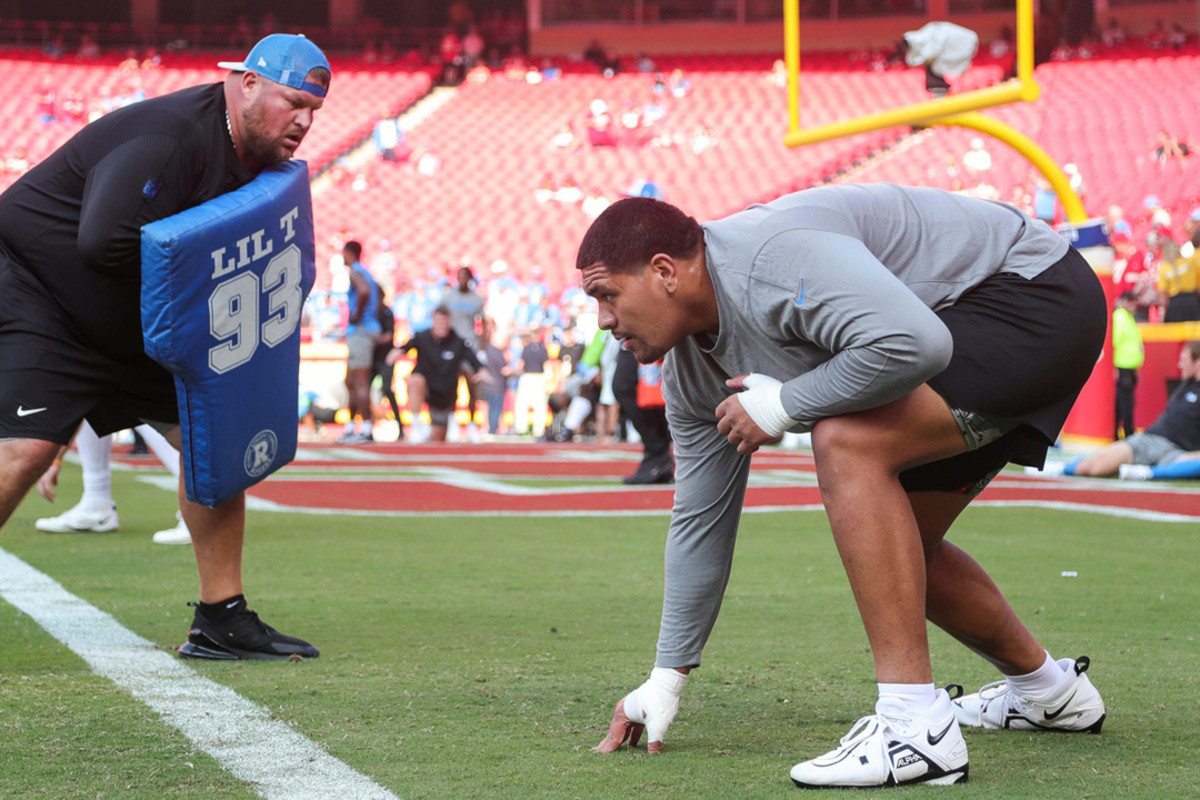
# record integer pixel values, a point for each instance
(51, 381)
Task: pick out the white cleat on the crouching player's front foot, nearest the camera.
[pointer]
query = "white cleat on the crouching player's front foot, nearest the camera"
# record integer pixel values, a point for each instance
(892, 748)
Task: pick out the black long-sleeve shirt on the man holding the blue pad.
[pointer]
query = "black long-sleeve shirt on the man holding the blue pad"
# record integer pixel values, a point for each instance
(74, 224)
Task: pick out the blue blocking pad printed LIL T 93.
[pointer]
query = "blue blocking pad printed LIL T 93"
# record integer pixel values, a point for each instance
(223, 291)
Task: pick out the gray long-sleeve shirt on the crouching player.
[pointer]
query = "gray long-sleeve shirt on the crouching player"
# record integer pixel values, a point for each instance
(833, 292)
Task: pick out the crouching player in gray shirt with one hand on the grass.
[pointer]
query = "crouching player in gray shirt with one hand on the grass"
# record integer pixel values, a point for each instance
(926, 340)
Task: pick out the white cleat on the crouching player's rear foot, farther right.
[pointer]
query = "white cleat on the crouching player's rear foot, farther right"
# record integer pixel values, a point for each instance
(1073, 707)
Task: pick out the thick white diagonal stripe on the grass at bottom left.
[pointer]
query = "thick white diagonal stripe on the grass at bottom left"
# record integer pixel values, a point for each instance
(280, 763)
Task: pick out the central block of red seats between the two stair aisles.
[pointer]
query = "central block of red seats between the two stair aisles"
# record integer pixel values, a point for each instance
(495, 146)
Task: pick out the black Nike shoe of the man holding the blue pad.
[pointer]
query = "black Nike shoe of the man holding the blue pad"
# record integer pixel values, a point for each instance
(242, 636)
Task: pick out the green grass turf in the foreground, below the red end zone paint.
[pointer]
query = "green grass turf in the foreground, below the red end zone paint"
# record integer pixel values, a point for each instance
(482, 658)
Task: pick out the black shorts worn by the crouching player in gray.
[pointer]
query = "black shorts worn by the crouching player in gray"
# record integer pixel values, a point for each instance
(1023, 352)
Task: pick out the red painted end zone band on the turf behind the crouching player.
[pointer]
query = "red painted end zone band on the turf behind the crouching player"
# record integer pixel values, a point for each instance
(483, 470)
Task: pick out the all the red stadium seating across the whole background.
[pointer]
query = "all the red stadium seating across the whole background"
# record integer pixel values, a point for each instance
(491, 148)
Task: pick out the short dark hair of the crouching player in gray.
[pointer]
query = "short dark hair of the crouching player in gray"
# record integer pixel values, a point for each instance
(633, 231)
